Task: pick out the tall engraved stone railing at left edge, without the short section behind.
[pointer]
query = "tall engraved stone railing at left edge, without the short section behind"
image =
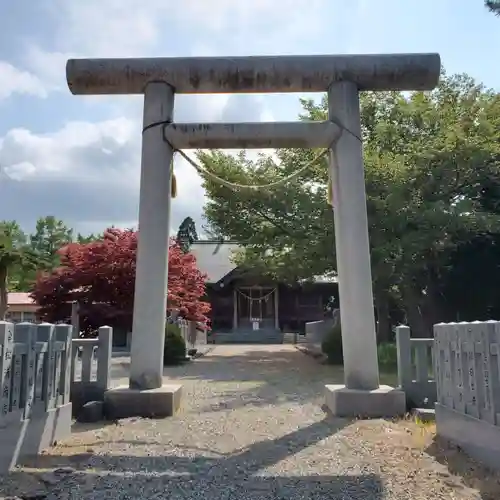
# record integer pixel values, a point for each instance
(35, 381)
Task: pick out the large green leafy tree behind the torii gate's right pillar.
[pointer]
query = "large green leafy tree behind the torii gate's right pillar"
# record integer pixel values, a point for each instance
(428, 158)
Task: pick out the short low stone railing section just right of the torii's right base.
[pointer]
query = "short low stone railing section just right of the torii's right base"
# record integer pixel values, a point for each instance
(416, 368)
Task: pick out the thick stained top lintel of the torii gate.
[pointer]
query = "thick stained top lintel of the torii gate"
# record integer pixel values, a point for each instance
(263, 74)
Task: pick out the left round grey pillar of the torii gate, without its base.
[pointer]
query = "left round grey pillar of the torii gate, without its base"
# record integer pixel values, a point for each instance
(150, 297)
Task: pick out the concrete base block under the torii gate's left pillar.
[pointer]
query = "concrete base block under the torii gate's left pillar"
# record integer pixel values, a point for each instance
(123, 402)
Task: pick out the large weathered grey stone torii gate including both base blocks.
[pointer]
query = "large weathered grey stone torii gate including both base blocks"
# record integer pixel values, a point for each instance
(342, 77)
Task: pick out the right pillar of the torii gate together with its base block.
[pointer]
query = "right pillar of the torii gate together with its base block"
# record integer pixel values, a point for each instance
(362, 395)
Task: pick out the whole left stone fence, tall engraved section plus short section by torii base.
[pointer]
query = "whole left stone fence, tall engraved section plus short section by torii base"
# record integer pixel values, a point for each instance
(44, 376)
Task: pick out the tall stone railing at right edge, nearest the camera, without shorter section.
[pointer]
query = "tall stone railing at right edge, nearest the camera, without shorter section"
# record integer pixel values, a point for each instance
(467, 365)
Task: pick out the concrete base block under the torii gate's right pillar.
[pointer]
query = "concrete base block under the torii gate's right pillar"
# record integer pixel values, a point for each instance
(382, 402)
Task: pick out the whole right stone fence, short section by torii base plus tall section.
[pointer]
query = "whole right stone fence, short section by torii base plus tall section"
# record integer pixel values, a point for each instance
(458, 374)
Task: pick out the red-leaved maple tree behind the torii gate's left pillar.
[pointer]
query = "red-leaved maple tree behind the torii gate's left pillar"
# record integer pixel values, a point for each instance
(100, 276)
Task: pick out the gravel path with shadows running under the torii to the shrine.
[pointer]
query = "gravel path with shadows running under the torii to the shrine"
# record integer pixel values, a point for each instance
(252, 427)
